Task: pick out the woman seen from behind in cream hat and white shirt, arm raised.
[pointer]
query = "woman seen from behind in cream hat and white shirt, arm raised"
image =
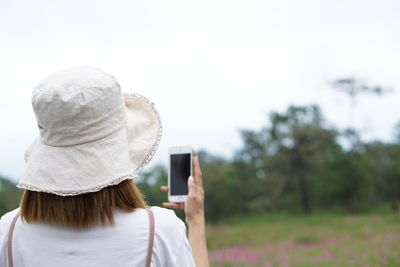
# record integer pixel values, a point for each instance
(80, 206)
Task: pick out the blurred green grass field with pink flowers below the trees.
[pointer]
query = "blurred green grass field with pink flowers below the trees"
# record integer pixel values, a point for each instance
(321, 239)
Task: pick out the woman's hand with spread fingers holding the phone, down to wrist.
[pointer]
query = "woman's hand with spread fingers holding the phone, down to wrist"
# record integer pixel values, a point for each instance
(194, 205)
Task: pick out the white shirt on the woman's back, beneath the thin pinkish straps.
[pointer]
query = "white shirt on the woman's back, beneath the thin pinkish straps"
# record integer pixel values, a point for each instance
(120, 245)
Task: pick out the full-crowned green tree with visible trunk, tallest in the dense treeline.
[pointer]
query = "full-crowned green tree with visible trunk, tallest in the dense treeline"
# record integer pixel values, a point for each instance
(302, 137)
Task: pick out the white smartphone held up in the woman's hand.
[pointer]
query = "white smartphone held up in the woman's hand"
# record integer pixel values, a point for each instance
(180, 168)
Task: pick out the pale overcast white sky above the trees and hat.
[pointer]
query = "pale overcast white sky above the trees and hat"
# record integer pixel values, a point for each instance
(211, 67)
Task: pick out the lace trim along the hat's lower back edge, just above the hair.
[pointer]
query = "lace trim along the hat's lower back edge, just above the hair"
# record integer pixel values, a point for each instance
(78, 192)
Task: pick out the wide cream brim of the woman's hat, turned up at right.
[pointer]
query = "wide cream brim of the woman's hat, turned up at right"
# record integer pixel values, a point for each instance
(89, 167)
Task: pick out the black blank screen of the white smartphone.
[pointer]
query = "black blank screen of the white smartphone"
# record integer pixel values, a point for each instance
(180, 172)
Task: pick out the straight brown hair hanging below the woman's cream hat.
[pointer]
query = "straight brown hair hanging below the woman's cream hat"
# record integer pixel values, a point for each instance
(81, 211)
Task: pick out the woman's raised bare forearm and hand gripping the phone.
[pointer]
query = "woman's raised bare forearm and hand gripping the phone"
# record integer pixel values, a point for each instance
(195, 219)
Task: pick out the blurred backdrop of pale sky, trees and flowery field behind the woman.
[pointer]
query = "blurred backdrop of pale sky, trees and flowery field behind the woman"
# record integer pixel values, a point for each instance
(292, 106)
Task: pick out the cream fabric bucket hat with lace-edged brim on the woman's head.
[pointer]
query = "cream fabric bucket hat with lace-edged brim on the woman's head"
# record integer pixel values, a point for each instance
(91, 135)
